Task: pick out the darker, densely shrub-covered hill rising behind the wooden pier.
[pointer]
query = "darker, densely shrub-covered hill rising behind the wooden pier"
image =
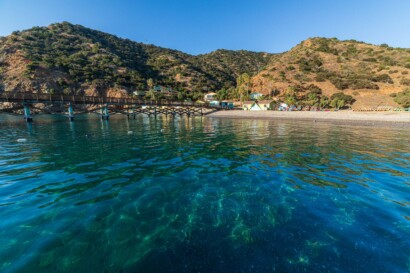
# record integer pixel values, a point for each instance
(73, 59)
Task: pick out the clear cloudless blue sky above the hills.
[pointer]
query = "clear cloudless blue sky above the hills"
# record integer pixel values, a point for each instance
(201, 26)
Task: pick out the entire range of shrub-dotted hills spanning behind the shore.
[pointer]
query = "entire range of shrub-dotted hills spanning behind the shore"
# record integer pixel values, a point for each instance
(72, 59)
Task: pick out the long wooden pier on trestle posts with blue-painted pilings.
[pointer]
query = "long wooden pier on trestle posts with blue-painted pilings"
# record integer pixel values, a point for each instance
(104, 106)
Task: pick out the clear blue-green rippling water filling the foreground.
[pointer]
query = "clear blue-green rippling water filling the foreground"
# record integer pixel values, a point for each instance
(203, 195)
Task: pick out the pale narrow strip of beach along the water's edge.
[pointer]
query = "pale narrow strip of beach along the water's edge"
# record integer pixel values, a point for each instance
(339, 116)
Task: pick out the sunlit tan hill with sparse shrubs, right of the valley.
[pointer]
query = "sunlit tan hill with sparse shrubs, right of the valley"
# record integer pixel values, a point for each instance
(369, 73)
